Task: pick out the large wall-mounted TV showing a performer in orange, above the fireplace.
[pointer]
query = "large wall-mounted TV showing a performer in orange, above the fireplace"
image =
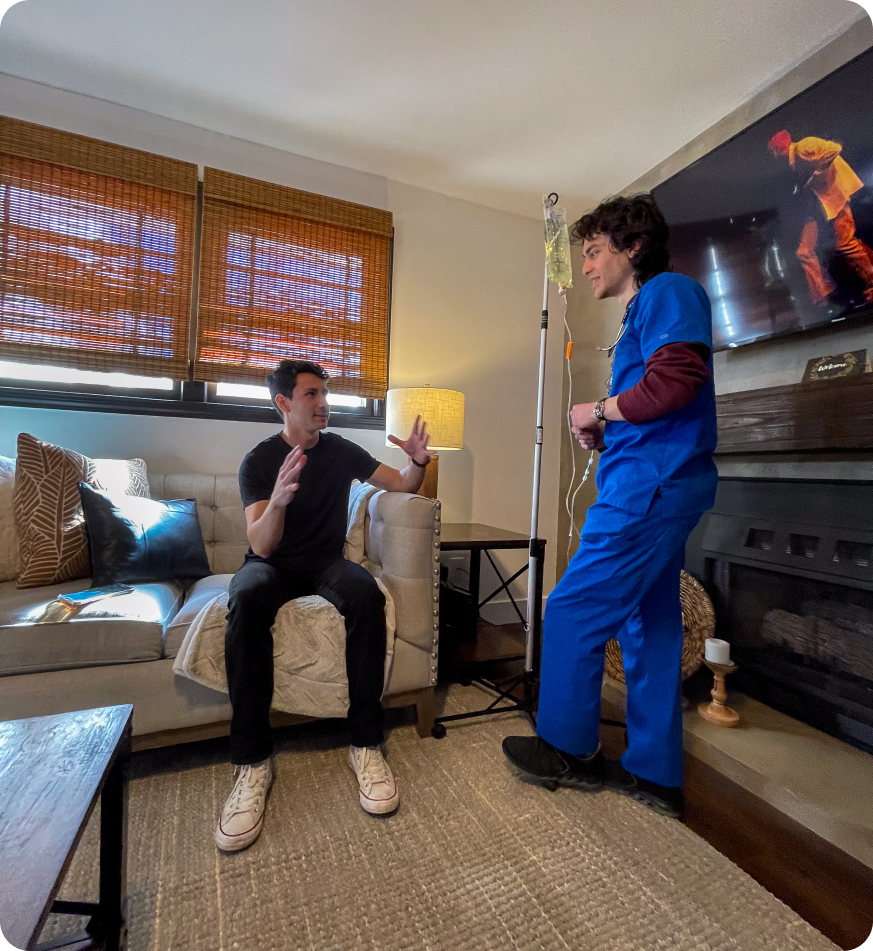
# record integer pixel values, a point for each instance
(777, 223)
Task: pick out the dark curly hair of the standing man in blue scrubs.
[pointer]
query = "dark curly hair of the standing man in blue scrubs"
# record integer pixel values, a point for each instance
(624, 221)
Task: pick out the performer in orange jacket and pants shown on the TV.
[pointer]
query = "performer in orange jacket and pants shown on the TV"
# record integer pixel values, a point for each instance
(821, 169)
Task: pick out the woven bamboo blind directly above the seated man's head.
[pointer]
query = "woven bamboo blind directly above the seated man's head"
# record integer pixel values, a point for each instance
(285, 274)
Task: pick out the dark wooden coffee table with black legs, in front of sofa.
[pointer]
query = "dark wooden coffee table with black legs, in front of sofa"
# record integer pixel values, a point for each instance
(52, 771)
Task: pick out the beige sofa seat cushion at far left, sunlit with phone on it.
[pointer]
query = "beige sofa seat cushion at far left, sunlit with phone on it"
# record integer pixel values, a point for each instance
(38, 633)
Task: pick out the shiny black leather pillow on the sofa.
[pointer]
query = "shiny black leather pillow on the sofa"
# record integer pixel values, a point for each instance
(136, 541)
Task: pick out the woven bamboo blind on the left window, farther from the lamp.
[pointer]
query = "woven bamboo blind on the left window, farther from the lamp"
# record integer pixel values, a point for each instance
(96, 253)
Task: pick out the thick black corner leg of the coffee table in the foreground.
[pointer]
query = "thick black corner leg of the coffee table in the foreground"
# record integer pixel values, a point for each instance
(113, 850)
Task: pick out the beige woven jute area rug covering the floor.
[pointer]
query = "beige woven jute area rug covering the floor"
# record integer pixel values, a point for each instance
(474, 860)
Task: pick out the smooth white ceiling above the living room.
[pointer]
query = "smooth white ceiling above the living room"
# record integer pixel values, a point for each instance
(494, 102)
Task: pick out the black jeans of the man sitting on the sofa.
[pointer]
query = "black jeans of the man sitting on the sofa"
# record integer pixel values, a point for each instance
(257, 591)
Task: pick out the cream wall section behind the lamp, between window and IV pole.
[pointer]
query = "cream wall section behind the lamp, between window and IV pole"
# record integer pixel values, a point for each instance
(467, 300)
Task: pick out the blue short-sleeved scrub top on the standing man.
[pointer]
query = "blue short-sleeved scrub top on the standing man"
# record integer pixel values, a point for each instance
(673, 453)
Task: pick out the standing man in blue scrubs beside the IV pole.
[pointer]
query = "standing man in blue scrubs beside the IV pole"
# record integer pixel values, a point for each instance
(657, 432)
